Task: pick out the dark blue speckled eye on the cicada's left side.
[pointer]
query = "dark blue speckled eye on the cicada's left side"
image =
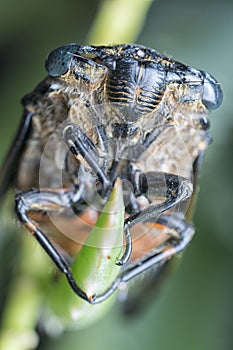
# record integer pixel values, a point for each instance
(60, 60)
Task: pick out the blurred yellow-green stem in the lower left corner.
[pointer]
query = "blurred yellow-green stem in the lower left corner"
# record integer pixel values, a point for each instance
(24, 299)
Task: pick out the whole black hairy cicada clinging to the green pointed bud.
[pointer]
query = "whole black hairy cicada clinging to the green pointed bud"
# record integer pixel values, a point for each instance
(105, 114)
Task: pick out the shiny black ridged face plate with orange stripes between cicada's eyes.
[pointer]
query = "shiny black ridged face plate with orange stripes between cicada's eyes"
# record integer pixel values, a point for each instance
(137, 87)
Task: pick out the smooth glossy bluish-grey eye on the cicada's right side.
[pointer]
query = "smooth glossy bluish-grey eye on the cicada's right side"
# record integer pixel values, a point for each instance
(212, 93)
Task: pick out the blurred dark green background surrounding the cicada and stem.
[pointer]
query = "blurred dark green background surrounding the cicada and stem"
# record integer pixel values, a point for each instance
(194, 309)
